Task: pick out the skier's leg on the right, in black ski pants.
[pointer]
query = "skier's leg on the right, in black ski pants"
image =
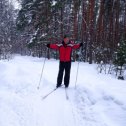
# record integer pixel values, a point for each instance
(67, 73)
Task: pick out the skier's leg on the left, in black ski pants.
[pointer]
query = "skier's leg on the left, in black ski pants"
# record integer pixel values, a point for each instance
(60, 74)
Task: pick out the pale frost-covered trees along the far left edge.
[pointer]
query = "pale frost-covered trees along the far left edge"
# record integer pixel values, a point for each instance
(7, 28)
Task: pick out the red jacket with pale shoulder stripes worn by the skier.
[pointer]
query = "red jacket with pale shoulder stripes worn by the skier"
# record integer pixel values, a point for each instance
(65, 50)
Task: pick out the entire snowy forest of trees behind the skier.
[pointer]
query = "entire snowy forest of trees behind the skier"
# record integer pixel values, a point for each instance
(99, 24)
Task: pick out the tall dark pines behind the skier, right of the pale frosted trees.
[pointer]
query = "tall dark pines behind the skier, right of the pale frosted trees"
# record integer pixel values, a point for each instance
(99, 24)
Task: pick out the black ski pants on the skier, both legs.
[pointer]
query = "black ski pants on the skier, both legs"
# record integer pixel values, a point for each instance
(64, 66)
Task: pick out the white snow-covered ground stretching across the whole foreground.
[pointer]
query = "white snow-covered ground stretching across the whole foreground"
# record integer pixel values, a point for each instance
(98, 100)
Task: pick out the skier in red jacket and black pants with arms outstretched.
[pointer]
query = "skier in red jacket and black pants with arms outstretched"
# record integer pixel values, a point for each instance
(65, 50)
